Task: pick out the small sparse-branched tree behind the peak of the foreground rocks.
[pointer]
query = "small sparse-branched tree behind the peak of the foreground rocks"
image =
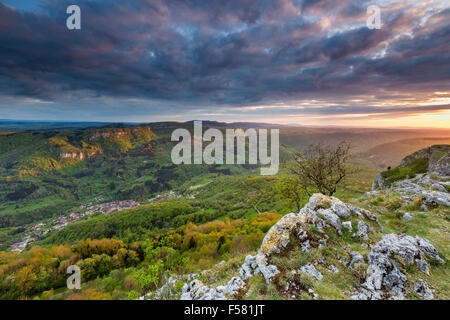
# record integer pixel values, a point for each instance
(322, 167)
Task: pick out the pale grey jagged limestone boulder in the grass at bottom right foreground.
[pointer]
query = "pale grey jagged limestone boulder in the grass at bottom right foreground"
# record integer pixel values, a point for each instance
(385, 275)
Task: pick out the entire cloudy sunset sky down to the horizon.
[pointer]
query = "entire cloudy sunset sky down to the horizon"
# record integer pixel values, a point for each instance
(281, 61)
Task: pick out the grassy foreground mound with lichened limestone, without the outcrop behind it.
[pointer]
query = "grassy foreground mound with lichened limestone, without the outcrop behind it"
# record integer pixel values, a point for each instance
(329, 245)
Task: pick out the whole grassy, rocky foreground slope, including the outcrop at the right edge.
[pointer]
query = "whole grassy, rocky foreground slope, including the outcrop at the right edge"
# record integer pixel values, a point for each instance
(330, 237)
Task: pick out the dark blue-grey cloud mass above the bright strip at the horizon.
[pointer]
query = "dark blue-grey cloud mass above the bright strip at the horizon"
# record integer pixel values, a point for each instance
(222, 52)
